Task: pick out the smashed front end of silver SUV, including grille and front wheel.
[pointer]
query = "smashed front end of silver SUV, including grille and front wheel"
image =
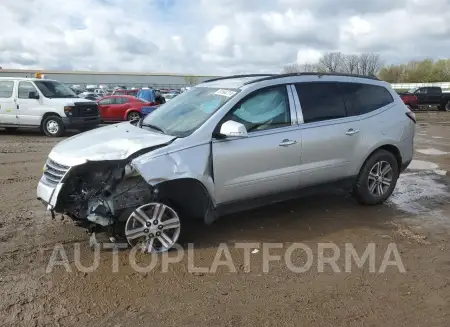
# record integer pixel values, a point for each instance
(110, 196)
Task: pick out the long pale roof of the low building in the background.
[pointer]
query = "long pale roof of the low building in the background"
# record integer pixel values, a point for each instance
(75, 72)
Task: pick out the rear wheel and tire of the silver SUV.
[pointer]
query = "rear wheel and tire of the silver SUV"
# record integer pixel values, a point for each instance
(366, 189)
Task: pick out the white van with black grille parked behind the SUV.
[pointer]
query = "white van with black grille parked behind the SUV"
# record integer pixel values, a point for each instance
(44, 103)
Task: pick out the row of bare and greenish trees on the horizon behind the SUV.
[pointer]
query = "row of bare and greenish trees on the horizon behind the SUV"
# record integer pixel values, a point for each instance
(371, 64)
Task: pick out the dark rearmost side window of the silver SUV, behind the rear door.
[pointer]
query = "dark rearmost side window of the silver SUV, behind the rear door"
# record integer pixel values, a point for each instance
(361, 99)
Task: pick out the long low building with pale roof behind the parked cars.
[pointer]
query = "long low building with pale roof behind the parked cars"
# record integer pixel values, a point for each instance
(111, 79)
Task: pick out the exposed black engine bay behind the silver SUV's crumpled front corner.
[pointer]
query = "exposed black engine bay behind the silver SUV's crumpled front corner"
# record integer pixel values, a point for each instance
(101, 192)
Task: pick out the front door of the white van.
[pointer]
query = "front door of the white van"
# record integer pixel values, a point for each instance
(27, 108)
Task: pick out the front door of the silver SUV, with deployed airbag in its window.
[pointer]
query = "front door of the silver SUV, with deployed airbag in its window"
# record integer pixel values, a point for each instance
(268, 160)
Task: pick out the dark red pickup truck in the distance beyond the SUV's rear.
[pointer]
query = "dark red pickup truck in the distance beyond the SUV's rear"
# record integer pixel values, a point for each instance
(427, 96)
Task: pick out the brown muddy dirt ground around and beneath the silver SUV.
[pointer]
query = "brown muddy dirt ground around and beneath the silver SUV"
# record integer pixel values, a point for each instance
(416, 220)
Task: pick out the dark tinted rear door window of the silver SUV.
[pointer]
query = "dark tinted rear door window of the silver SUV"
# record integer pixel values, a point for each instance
(320, 101)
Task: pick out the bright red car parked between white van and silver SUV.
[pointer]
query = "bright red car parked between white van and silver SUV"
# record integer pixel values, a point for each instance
(121, 107)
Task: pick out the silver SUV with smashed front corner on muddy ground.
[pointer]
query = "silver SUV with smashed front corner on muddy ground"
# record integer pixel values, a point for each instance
(229, 144)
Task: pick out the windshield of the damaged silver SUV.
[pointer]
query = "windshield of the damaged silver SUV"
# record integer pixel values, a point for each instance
(188, 111)
